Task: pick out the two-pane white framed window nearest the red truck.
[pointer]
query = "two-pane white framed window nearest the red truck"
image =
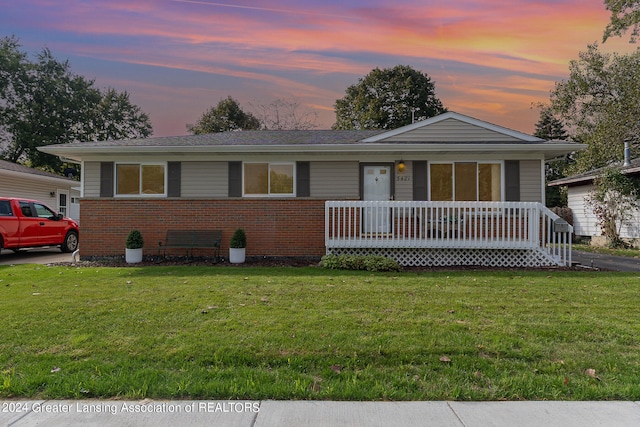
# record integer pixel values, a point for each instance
(141, 179)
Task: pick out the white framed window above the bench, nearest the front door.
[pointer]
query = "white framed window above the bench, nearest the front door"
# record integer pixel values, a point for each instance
(268, 179)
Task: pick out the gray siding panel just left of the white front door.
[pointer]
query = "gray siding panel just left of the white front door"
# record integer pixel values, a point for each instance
(335, 180)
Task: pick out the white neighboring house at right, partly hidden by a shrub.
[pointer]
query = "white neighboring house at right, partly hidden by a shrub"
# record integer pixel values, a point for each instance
(585, 223)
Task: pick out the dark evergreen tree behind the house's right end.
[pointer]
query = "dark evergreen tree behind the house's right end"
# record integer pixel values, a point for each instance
(552, 128)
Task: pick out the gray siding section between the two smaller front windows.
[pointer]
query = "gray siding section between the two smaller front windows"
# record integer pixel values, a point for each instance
(204, 179)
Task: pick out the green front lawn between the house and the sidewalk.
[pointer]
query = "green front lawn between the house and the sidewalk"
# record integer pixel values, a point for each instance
(307, 333)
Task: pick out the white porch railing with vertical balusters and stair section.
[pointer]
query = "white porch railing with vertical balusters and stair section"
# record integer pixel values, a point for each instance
(448, 225)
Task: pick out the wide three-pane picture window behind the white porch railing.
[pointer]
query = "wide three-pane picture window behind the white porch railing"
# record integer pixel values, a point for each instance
(466, 181)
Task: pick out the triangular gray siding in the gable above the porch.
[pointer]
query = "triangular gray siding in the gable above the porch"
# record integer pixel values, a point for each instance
(452, 130)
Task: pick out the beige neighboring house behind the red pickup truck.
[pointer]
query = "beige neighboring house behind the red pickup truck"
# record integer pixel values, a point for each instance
(60, 193)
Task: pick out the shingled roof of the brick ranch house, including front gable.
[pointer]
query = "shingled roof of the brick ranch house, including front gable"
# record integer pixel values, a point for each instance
(449, 133)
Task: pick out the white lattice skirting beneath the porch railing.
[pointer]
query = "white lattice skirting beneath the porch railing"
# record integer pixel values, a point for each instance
(441, 257)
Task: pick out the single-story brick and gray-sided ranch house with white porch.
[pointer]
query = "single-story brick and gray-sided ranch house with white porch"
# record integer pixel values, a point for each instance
(447, 190)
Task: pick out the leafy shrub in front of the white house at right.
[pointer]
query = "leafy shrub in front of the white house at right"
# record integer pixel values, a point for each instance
(613, 200)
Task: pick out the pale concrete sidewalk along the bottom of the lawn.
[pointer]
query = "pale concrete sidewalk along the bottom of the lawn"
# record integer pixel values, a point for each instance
(271, 413)
